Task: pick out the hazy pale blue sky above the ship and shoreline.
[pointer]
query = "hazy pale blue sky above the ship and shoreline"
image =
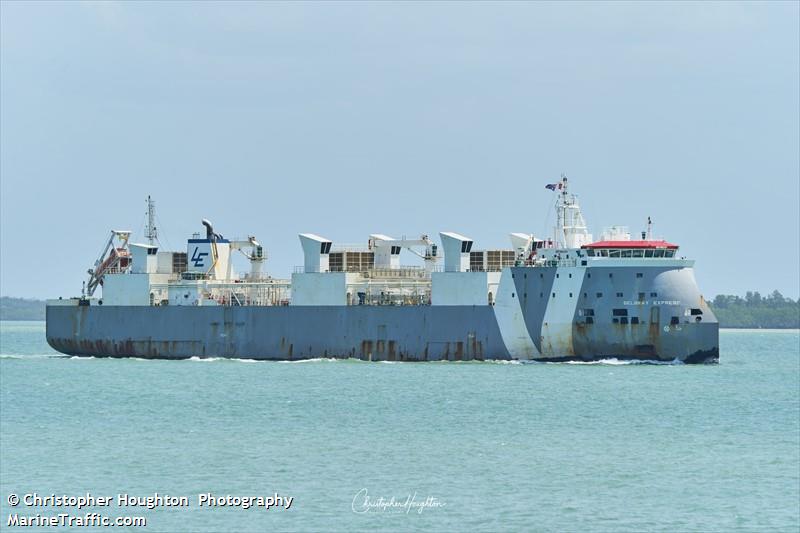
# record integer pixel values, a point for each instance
(346, 119)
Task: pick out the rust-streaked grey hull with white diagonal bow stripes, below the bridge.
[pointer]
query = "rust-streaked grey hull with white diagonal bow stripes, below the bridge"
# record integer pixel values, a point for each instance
(540, 314)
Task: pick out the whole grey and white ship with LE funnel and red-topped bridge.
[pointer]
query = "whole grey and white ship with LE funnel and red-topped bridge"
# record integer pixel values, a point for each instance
(564, 297)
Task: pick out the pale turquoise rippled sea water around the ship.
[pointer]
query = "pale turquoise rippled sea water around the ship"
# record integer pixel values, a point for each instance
(409, 446)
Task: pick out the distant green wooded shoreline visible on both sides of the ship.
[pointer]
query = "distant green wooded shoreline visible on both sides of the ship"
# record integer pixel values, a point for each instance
(752, 311)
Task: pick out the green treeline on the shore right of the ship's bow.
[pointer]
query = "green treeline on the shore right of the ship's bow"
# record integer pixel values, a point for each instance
(756, 311)
